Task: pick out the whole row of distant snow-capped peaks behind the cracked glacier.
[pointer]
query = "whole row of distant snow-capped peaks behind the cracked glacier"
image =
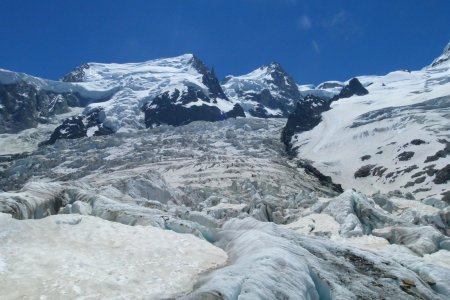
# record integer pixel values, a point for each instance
(172, 91)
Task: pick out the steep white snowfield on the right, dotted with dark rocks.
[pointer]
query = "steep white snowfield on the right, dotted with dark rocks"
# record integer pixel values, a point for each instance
(378, 131)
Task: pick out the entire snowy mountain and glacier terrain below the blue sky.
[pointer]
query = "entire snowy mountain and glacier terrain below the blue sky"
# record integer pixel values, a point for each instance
(126, 188)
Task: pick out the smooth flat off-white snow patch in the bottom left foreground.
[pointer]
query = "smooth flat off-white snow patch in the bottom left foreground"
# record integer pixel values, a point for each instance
(81, 257)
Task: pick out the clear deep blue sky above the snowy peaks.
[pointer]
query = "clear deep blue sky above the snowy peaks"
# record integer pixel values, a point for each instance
(315, 40)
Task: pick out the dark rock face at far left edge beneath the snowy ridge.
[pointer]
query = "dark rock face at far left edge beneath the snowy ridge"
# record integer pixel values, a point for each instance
(24, 106)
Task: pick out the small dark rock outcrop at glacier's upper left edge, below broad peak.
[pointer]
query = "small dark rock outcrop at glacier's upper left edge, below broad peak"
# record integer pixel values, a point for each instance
(77, 127)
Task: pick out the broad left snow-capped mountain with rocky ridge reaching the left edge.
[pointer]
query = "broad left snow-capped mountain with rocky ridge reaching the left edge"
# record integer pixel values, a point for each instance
(115, 98)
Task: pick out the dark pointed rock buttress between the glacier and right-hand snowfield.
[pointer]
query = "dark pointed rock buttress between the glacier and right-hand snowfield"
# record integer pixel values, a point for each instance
(304, 118)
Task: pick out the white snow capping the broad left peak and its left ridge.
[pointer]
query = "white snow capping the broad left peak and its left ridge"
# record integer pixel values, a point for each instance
(127, 87)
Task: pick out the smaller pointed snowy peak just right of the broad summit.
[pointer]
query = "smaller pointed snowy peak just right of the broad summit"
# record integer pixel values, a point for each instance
(266, 92)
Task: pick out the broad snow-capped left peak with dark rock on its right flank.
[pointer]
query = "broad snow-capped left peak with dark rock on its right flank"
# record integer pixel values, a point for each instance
(172, 91)
